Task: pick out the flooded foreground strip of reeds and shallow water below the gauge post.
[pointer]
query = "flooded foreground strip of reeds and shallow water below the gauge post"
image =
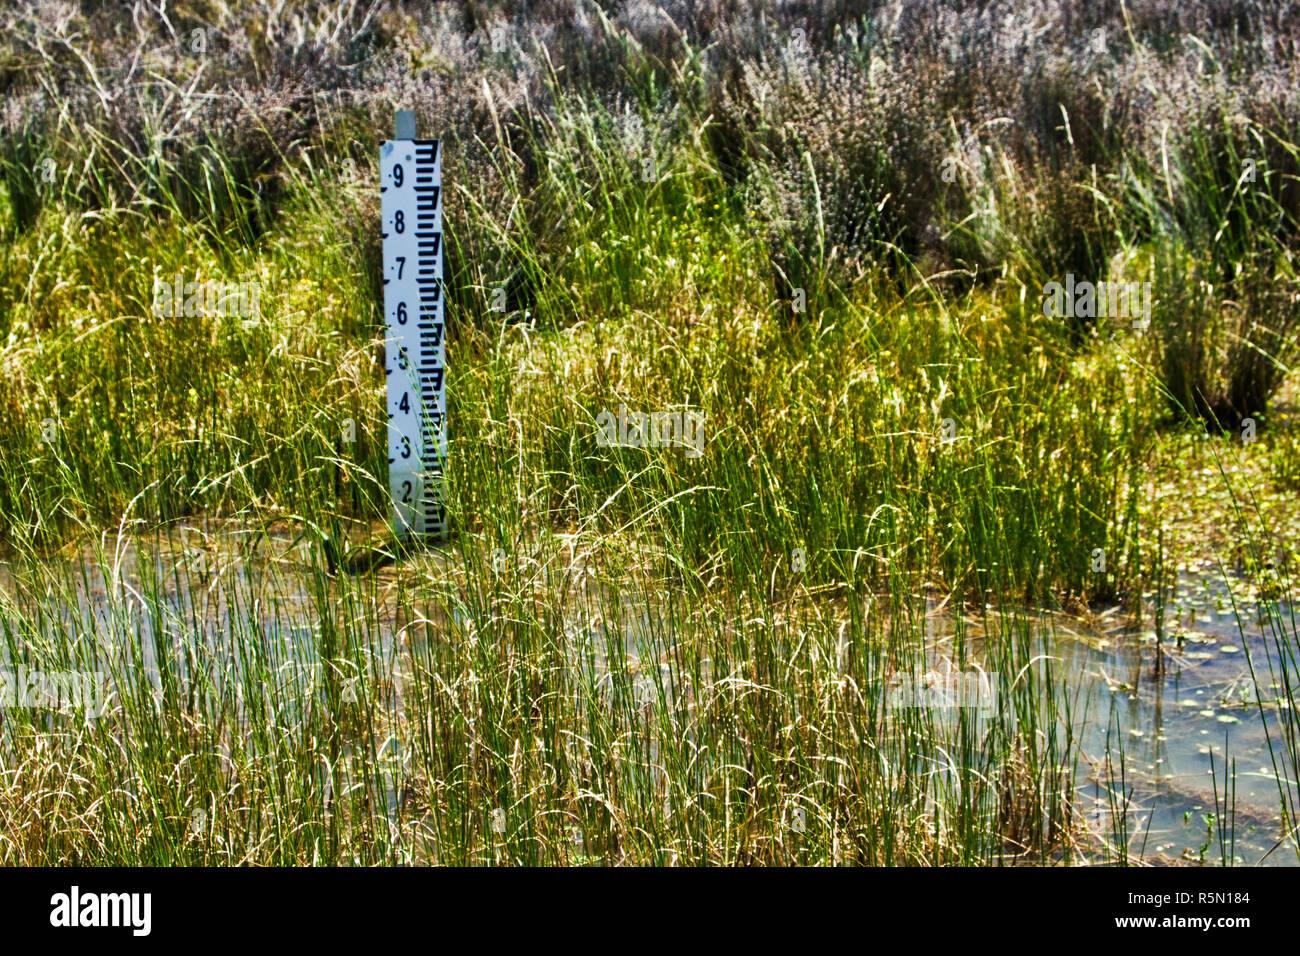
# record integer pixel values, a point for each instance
(1099, 742)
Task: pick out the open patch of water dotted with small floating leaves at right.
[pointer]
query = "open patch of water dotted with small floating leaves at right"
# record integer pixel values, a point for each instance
(1216, 706)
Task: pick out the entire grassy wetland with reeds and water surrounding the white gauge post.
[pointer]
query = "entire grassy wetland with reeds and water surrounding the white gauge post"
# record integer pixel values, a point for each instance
(921, 574)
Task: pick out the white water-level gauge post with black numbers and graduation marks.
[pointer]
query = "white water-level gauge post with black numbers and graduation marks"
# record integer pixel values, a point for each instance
(415, 348)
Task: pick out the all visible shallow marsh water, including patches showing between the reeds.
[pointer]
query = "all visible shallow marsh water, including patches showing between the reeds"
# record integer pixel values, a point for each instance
(1182, 730)
